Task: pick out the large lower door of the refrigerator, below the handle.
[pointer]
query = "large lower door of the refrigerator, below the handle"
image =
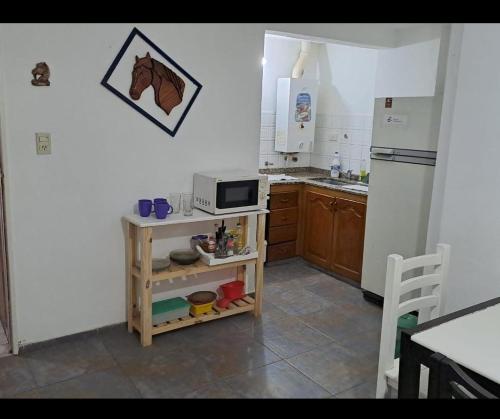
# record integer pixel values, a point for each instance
(397, 217)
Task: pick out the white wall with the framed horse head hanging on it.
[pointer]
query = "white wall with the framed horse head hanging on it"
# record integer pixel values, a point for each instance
(65, 236)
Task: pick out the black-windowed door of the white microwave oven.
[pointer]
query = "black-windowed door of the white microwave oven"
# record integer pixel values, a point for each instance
(235, 194)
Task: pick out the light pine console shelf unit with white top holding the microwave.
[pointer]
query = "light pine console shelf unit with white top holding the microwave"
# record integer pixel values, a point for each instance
(140, 232)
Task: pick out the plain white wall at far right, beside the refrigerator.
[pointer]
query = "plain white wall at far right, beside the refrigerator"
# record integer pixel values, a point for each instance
(469, 218)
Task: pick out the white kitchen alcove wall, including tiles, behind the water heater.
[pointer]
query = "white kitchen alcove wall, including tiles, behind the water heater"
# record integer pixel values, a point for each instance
(346, 77)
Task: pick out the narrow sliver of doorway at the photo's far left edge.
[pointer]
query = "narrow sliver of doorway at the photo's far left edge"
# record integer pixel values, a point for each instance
(5, 329)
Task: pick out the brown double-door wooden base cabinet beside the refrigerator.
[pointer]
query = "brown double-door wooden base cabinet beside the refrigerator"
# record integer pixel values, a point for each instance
(334, 228)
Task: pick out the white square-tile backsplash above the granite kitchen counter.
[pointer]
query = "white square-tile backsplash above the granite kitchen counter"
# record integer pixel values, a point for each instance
(349, 134)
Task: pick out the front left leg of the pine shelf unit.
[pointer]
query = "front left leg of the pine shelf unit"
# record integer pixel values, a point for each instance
(146, 286)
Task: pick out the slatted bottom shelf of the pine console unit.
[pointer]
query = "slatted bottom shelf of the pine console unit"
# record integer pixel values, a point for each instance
(236, 307)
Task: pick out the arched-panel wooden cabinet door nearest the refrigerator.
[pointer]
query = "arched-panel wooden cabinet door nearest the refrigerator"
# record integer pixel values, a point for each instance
(348, 238)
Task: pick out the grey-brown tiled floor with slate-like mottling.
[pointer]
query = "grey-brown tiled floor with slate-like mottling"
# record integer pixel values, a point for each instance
(317, 338)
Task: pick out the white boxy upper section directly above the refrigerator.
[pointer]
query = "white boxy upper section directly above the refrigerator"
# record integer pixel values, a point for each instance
(408, 71)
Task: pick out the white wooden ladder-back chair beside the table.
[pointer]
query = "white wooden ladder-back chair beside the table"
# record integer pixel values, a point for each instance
(429, 303)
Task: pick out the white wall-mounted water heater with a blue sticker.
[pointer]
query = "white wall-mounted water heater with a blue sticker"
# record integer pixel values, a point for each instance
(295, 115)
